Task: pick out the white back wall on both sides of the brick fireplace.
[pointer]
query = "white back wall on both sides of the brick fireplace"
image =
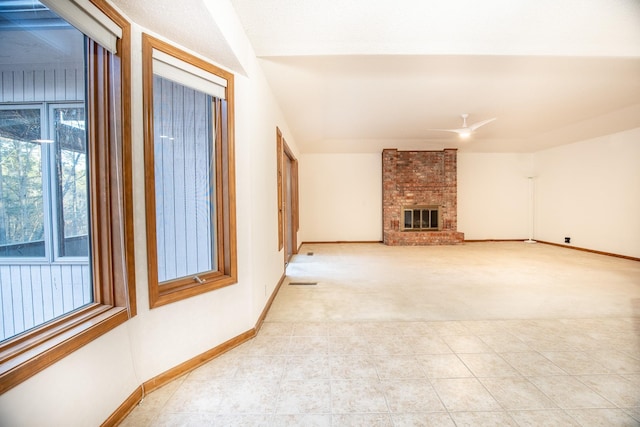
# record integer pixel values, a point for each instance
(341, 196)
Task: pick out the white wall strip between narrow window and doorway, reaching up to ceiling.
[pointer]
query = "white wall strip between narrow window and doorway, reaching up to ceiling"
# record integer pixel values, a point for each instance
(257, 116)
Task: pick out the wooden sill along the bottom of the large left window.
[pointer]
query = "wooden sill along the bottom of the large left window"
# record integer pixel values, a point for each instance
(27, 354)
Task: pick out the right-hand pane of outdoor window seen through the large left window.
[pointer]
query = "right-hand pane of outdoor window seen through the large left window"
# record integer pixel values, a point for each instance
(71, 164)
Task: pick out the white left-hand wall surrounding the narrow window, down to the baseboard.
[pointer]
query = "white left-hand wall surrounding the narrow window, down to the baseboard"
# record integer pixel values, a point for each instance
(86, 387)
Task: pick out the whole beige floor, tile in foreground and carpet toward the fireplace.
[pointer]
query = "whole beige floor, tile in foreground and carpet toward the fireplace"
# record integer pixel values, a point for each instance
(480, 334)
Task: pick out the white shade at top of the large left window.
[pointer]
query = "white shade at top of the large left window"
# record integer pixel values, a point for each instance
(87, 18)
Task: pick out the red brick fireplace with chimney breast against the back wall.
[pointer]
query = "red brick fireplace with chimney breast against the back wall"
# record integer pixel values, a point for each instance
(419, 198)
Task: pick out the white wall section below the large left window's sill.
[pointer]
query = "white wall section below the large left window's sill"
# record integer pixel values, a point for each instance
(82, 389)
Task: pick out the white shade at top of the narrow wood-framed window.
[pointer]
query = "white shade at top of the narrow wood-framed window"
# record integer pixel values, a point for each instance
(178, 71)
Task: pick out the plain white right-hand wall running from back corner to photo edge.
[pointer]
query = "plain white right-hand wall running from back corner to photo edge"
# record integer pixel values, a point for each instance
(590, 191)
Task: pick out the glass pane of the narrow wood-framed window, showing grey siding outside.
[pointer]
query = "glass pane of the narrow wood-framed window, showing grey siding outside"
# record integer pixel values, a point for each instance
(184, 180)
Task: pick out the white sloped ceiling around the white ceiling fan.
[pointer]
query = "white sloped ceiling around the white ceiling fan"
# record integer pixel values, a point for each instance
(362, 75)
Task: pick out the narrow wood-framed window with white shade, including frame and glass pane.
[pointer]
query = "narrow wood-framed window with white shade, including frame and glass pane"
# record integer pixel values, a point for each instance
(189, 164)
